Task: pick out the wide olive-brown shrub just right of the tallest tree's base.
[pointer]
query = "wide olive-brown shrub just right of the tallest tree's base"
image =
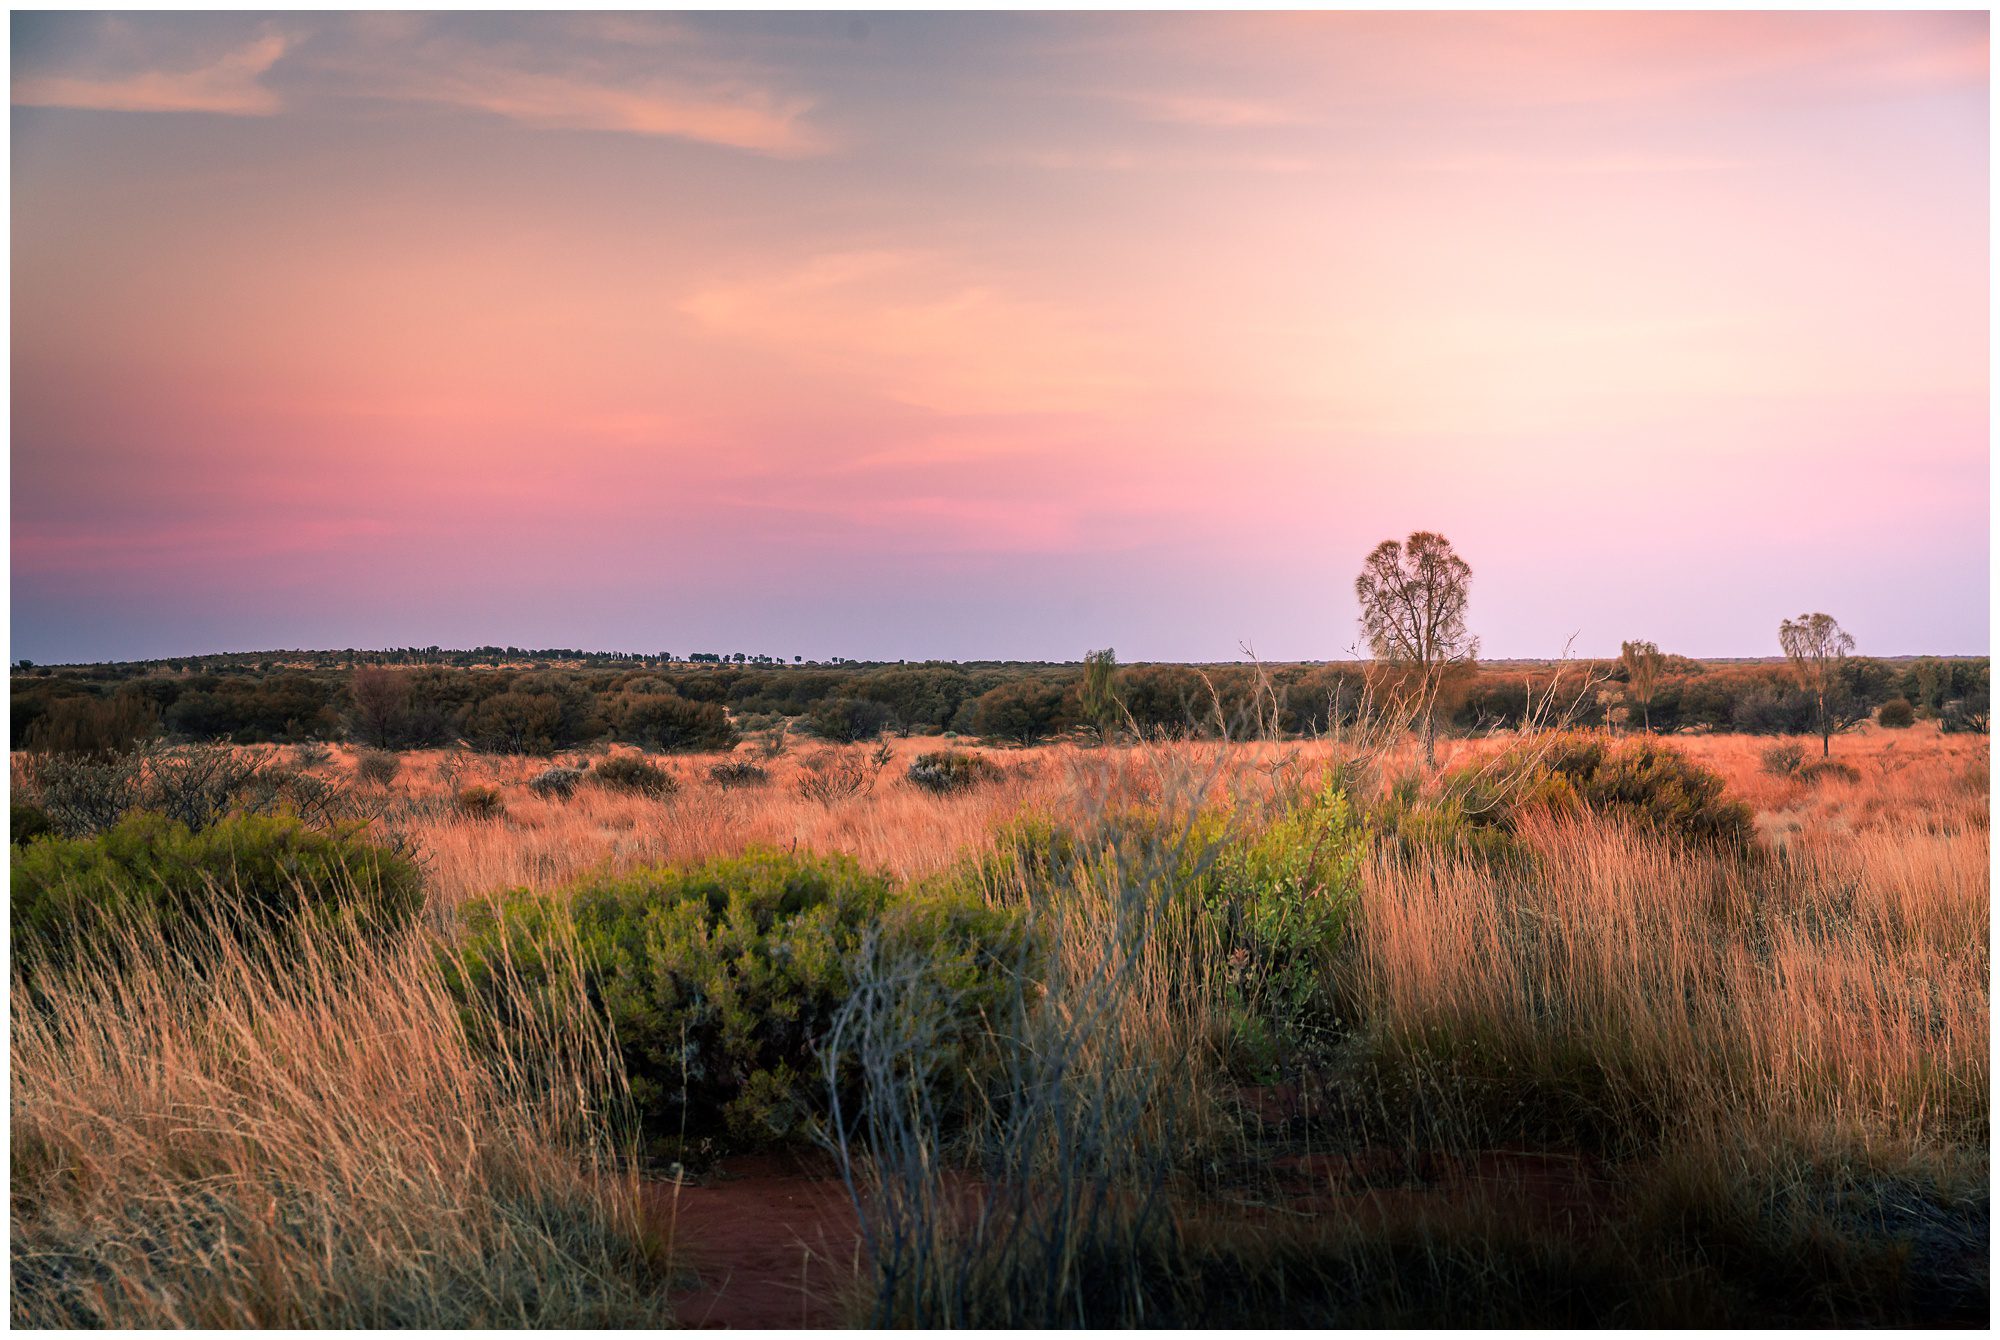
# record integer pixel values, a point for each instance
(1643, 781)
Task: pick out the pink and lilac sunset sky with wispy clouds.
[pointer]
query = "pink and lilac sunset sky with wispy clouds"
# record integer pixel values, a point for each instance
(995, 337)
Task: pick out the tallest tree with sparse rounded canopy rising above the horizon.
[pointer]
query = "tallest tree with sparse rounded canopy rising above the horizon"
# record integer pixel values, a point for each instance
(1415, 617)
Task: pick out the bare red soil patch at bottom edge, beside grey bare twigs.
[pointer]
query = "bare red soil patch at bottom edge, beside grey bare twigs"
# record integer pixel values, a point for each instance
(773, 1243)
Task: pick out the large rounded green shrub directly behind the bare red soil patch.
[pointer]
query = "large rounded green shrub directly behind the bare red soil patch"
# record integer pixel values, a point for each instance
(721, 981)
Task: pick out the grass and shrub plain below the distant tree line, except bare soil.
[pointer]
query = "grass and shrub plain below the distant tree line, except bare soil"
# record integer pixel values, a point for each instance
(1575, 1029)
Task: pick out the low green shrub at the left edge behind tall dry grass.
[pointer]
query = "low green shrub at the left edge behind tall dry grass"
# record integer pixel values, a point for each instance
(269, 869)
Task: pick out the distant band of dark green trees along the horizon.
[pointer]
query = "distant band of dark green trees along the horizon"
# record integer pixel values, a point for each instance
(681, 707)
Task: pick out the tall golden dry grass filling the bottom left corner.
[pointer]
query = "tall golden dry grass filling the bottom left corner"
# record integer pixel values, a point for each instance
(315, 1147)
